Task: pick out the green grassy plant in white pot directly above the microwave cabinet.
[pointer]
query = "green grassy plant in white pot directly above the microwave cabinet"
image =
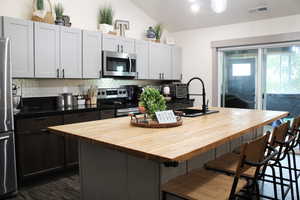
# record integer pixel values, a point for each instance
(105, 19)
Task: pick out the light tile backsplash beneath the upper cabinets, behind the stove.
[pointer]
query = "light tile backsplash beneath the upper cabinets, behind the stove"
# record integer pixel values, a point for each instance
(52, 87)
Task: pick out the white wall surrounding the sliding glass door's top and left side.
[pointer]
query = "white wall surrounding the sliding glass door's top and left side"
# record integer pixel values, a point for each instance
(196, 44)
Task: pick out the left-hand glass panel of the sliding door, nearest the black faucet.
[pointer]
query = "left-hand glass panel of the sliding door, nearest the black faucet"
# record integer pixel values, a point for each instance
(239, 85)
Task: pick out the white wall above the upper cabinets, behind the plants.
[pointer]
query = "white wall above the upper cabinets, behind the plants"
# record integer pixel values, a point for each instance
(84, 13)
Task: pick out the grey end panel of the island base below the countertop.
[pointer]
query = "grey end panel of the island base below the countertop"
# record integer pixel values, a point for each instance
(110, 174)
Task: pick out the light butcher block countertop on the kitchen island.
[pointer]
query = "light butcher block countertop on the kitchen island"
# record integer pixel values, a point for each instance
(195, 136)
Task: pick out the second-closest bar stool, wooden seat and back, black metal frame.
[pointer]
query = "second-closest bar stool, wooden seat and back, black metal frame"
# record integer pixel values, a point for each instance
(228, 162)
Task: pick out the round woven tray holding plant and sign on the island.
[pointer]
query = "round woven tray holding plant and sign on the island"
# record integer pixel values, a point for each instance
(149, 123)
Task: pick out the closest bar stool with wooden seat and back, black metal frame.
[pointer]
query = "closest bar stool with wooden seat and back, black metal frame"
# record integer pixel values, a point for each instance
(211, 185)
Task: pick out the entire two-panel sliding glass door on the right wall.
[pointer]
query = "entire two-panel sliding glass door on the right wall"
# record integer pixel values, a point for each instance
(263, 77)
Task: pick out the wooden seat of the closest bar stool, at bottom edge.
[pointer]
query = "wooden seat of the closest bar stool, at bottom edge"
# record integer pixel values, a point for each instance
(203, 184)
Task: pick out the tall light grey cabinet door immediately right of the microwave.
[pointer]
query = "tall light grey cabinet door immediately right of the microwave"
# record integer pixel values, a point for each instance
(142, 62)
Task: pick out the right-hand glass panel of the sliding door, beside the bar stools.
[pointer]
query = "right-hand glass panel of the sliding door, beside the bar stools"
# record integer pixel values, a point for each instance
(282, 79)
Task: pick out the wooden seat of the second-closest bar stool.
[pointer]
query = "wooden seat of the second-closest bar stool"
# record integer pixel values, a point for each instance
(228, 163)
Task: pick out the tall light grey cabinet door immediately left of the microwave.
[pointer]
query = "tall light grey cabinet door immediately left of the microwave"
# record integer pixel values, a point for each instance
(91, 60)
